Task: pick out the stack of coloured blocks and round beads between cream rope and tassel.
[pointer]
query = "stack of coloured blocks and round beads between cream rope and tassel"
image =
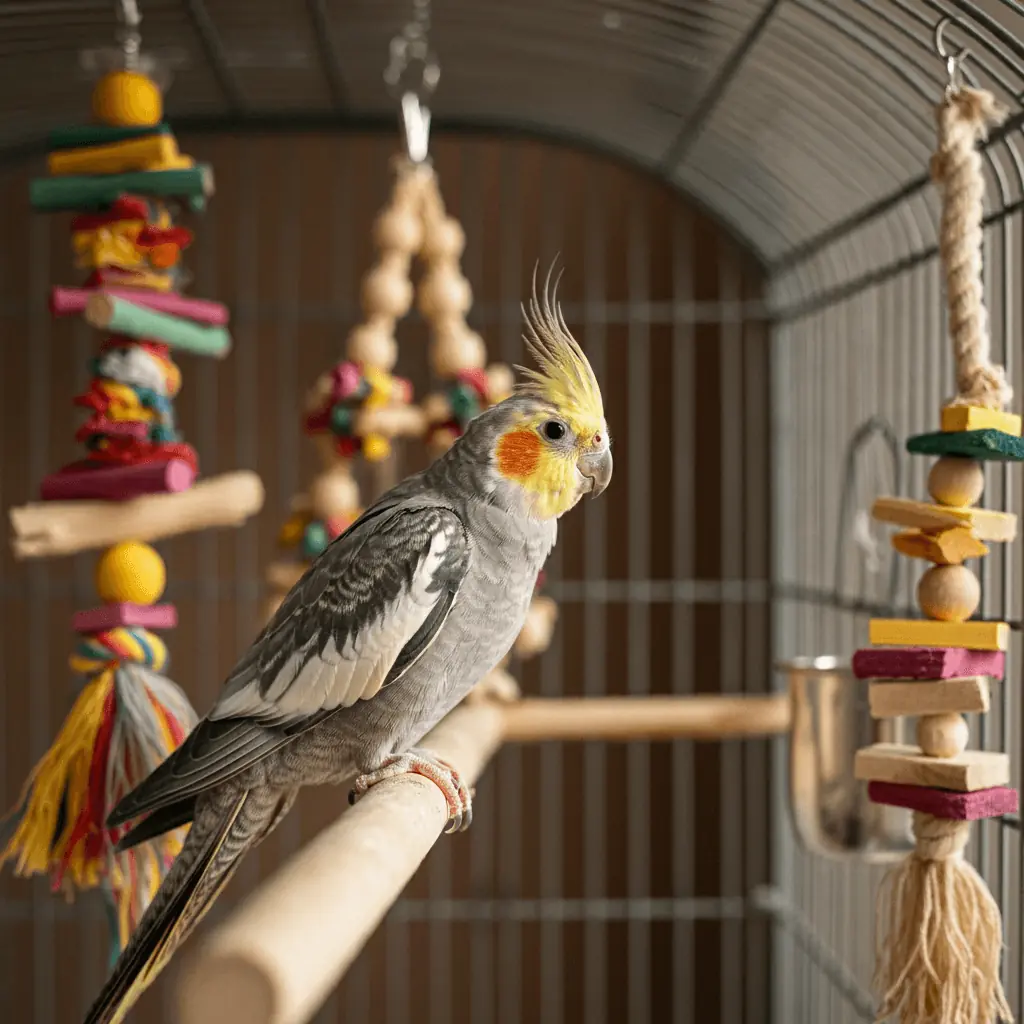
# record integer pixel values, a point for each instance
(940, 668)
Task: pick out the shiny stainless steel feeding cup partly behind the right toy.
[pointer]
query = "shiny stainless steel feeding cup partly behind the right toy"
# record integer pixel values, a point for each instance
(831, 721)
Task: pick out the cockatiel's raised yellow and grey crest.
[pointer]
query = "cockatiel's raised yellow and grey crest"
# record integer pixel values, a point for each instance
(565, 377)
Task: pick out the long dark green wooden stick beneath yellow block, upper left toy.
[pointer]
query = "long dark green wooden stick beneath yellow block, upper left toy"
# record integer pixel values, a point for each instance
(96, 192)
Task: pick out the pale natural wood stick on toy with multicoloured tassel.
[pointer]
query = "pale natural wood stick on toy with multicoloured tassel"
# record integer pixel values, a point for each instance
(49, 529)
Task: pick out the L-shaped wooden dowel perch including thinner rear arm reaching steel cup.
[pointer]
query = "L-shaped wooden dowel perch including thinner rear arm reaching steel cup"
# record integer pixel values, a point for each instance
(277, 959)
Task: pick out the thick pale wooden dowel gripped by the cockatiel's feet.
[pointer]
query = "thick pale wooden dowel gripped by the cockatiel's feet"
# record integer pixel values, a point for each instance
(280, 956)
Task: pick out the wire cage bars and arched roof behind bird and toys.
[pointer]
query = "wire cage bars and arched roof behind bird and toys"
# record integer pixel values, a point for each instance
(643, 880)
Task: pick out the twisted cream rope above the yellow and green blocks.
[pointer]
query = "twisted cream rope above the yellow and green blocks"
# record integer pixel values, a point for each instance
(964, 119)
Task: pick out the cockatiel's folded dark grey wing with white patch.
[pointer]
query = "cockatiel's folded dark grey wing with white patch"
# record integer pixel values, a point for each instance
(361, 617)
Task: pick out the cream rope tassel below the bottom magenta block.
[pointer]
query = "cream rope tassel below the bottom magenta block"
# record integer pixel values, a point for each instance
(941, 934)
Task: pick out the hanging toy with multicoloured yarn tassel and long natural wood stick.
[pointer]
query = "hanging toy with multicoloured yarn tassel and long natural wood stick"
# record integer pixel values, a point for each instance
(135, 483)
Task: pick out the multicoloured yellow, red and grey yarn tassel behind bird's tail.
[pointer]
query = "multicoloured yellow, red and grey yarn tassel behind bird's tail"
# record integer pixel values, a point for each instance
(124, 723)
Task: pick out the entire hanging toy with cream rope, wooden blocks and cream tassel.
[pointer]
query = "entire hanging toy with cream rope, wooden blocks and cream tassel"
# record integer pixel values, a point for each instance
(940, 934)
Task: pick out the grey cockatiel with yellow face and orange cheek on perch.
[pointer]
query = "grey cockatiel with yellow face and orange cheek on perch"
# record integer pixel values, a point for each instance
(389, 630)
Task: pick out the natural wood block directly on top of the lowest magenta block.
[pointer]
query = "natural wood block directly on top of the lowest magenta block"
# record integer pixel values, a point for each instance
(967, 773)
